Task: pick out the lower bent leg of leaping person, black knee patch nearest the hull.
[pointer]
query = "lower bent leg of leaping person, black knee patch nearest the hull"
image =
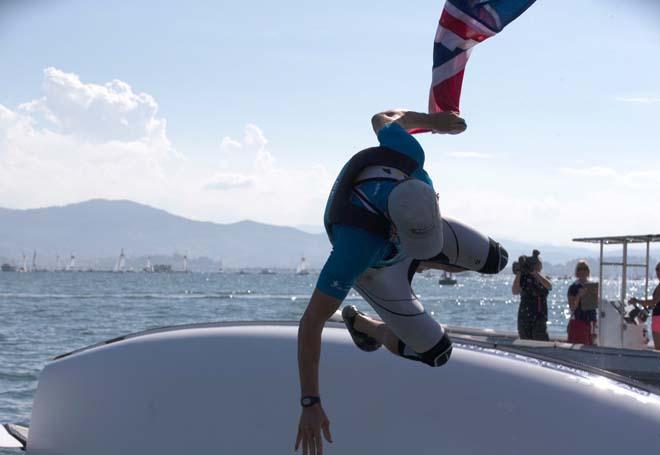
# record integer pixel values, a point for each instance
(407, 329)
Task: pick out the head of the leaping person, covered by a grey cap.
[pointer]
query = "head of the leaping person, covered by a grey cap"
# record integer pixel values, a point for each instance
(413, 208)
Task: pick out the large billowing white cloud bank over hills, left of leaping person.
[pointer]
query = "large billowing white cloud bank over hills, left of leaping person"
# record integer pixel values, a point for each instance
(83, 140)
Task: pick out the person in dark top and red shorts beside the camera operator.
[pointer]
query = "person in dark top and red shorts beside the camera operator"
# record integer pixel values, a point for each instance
(581, 326)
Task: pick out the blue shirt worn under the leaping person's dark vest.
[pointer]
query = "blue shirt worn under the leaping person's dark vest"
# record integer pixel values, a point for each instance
(354, 250)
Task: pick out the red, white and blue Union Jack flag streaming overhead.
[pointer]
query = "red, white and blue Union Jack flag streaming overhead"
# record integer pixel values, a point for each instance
(463, 25)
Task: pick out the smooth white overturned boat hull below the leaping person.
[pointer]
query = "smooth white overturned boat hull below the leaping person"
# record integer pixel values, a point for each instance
(231, 388)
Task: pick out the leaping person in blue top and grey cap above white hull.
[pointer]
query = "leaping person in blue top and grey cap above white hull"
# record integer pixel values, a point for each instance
(384, 224)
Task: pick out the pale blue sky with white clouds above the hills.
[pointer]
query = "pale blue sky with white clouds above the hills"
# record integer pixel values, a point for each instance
(224, 111)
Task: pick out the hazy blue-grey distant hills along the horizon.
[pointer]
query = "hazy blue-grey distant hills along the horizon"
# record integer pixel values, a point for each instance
(100, 228)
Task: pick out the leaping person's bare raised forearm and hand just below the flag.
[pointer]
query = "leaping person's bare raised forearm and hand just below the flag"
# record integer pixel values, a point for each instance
(440, 122)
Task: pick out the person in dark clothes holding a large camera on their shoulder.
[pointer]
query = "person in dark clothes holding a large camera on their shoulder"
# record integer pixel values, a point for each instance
(533, 289)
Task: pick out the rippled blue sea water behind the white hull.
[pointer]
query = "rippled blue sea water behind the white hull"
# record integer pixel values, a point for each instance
(46, 314)
